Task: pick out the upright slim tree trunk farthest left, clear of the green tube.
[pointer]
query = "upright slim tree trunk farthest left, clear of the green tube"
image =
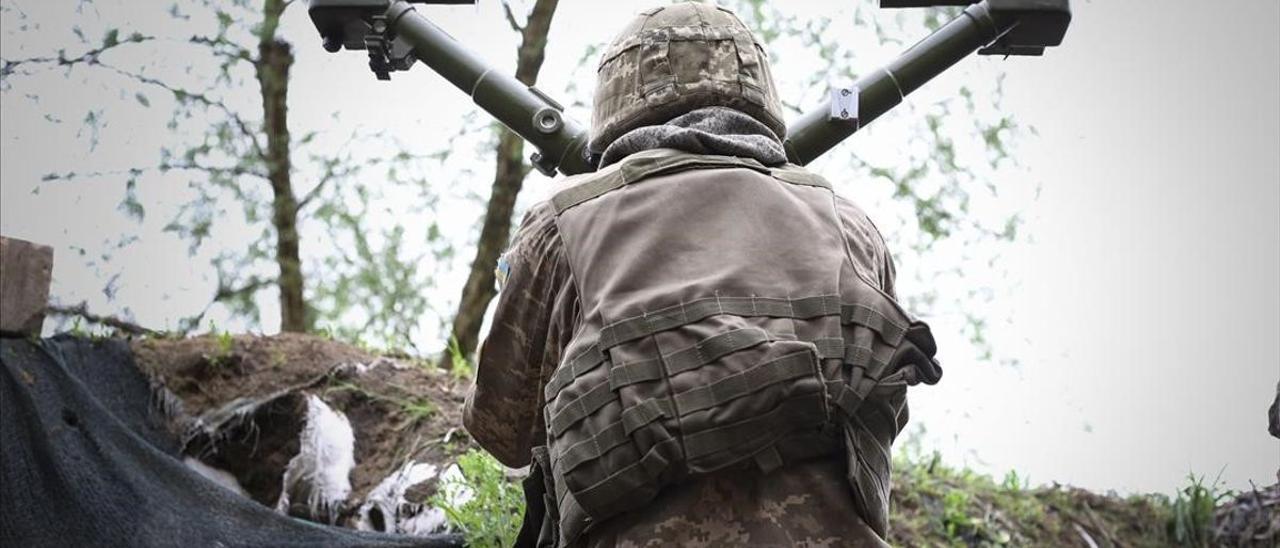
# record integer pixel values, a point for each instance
(273, 65)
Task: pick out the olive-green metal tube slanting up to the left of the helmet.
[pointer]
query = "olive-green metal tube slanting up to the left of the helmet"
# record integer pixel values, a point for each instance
(523, 109)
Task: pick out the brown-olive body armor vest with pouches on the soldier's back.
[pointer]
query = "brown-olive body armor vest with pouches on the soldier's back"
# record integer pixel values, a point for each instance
(724, 323)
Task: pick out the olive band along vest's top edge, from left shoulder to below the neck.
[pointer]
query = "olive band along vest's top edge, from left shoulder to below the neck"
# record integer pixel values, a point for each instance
(644, 166)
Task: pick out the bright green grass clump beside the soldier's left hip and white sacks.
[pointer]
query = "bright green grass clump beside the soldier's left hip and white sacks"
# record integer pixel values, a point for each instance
(493, 514)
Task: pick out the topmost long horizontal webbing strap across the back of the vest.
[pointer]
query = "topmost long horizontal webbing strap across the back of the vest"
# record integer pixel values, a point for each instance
(683, 314)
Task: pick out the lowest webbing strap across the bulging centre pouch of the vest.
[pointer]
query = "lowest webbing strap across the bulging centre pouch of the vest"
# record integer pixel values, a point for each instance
(798, 410)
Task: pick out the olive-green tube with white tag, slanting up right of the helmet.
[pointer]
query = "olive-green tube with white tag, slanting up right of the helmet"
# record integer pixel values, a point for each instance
(815, 133)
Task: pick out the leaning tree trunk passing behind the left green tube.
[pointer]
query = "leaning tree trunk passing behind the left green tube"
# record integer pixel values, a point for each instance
(509, 180)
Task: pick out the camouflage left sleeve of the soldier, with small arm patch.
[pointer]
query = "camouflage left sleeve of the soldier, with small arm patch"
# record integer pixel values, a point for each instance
(534, 317)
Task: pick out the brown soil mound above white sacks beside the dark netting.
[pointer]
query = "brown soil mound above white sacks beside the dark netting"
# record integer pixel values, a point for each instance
(399, 408)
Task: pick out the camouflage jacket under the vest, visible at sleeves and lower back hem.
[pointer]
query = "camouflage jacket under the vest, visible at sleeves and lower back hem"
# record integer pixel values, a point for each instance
(537, 314)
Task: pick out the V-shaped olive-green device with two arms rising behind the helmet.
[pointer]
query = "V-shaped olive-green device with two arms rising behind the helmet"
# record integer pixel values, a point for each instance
(396, 36)
